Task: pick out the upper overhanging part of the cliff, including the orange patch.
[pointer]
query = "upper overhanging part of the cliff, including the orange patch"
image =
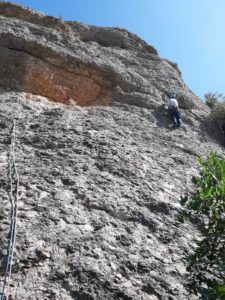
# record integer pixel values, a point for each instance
(69, 62)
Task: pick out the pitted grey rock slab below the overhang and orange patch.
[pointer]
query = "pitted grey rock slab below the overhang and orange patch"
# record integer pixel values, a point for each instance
(98, 199)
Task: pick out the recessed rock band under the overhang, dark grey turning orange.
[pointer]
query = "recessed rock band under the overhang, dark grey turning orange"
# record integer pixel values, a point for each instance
(25, 72)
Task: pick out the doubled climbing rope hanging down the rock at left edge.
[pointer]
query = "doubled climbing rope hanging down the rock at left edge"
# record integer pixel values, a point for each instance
(13, 197)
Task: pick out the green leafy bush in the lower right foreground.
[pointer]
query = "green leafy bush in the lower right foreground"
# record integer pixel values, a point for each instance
(206, 266)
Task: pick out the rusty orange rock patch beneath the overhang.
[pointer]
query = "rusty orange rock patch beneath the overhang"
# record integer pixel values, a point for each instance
(82, 88)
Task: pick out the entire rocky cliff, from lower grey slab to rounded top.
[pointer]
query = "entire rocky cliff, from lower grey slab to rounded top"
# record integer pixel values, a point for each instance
(99, 181)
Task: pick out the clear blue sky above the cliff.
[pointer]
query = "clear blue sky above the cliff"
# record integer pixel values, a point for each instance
(188, 32)
